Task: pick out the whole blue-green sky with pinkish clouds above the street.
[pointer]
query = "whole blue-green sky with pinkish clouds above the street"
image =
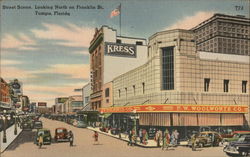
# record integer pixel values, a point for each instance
(49, 54)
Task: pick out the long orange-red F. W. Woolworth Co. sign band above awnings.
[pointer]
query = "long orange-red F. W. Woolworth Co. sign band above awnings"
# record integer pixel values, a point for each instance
(178, 108)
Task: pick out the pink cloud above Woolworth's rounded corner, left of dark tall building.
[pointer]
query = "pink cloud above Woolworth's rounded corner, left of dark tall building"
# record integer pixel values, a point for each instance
(189, 22)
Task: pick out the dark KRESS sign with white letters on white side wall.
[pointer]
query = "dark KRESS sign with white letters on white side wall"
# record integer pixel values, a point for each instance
(120, 50)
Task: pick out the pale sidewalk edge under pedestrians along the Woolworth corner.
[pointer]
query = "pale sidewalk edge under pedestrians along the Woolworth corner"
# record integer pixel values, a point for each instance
(150, 144)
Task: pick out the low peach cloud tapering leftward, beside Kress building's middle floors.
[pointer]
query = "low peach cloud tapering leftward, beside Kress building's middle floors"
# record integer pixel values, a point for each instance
(76, 71)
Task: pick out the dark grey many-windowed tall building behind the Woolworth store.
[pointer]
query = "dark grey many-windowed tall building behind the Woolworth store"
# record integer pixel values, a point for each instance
(224, 34)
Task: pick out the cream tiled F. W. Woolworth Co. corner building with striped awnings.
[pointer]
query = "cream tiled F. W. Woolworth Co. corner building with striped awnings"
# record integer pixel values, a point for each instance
(180, 86)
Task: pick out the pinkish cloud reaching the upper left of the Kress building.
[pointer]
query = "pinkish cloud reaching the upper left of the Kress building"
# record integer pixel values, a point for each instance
(71, 35)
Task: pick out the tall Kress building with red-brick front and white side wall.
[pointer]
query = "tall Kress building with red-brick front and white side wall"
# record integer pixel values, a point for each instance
(111, 56)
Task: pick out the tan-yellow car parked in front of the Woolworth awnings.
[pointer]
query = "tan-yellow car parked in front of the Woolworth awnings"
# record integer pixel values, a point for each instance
(205, 139)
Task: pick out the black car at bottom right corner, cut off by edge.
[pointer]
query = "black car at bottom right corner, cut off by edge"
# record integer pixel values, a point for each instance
(238, 148)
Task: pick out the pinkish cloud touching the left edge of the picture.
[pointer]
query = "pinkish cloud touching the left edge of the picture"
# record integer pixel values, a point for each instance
(22, 42)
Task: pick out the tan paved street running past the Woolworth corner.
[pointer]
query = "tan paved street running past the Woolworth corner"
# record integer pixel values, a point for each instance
(84, 146)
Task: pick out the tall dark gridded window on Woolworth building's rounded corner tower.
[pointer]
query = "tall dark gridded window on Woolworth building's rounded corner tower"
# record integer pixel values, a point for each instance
(168, 68)
